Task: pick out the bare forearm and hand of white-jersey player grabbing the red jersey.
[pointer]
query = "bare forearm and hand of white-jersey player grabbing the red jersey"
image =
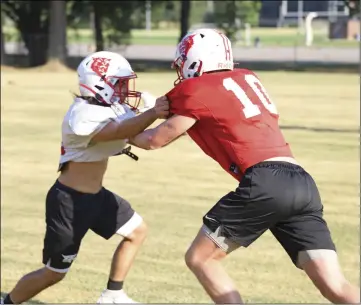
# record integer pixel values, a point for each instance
(130, 127)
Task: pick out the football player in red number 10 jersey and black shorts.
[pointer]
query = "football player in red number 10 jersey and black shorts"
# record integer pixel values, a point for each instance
(229, 114)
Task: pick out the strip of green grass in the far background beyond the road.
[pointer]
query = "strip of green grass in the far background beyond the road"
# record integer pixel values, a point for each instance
(285, 37)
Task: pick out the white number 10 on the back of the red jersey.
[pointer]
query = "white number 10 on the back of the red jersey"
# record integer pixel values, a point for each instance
(250, 109)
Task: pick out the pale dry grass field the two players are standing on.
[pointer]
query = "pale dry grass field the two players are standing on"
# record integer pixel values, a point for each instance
(172, 188)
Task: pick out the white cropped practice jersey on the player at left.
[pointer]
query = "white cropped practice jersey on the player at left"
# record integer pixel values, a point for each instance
(81, 123)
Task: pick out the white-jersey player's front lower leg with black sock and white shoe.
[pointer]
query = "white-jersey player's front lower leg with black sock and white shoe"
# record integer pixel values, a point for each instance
(122, 261)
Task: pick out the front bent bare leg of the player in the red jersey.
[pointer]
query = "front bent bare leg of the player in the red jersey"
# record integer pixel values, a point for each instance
(203, 258)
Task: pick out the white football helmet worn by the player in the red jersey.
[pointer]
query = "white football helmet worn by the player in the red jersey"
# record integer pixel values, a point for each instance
(201, 51)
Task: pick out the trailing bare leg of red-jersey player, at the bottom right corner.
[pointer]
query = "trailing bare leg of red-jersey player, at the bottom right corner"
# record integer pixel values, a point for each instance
(325, 272)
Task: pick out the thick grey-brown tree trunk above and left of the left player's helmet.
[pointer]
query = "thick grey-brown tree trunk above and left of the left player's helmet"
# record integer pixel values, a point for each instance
(57, 31)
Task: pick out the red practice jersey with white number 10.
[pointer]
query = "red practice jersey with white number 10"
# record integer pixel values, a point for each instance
(237, 123)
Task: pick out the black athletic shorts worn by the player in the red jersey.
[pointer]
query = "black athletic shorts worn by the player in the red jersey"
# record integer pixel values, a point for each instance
(279, 196)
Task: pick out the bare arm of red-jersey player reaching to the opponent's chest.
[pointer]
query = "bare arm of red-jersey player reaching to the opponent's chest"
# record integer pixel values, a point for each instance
(163, 134)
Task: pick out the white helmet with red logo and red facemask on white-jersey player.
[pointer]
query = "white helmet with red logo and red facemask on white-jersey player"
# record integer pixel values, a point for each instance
(106, 76)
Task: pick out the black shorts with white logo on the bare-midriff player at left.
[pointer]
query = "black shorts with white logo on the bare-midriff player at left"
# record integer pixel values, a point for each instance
(70, 214)
